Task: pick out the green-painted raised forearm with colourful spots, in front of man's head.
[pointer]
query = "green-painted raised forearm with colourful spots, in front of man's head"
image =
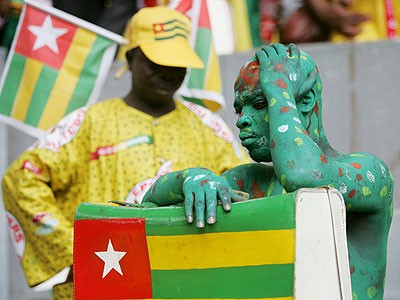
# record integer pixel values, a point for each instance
(297, 158)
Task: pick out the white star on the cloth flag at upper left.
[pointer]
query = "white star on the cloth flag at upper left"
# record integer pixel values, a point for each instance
(46, 35)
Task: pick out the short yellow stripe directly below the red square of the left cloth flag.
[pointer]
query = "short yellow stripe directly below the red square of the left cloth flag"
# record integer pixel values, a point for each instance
(28, 81)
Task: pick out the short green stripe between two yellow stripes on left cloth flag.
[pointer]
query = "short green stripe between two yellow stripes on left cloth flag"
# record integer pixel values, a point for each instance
(40, 95)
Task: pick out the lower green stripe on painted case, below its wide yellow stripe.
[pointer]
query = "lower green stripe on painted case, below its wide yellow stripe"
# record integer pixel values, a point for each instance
(268, 281)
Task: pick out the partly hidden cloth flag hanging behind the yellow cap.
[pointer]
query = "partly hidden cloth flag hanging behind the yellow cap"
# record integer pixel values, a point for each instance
(202, 86)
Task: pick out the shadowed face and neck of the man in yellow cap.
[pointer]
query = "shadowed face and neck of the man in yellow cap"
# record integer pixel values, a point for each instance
(153, 86)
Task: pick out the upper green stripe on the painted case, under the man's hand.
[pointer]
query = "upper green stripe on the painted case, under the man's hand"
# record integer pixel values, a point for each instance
(272, 213)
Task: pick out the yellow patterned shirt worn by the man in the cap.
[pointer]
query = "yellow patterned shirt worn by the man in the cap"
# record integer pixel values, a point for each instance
(109, 151)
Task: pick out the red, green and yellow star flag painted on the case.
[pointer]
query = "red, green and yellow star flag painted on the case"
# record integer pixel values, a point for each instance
(159, 256)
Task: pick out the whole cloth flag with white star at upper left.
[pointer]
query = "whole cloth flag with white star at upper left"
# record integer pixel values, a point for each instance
(56, 64)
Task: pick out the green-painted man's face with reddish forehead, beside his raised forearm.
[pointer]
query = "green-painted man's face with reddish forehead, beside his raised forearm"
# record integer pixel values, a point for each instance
(252, 108)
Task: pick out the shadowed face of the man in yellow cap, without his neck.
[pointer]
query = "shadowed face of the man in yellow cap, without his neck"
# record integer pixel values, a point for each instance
(154, 82)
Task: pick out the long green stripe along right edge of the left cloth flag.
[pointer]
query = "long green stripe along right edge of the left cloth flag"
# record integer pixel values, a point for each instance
(88, 75)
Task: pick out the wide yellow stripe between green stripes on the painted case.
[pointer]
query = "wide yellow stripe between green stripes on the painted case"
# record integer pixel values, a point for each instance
(226, 249)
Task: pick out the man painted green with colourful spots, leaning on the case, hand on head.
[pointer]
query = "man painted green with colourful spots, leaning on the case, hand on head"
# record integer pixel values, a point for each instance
(278, 102)
